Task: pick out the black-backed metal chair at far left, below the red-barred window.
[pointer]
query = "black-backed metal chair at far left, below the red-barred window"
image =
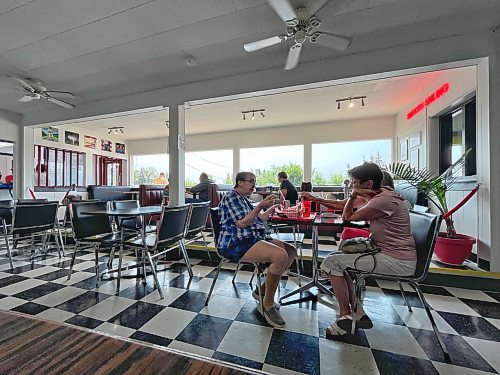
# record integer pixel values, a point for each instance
(36, 219)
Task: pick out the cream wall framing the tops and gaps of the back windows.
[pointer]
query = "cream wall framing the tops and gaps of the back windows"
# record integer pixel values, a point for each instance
(307, 134)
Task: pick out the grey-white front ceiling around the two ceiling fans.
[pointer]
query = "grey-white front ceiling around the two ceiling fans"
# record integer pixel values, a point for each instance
(109, 48)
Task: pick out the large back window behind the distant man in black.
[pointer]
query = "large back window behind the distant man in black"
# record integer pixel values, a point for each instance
(267, 162)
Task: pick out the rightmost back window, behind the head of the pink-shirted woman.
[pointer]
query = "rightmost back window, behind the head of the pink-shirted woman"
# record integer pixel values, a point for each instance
(331, 161)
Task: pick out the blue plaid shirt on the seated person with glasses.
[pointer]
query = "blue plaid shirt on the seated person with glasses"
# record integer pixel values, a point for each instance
(234, 207)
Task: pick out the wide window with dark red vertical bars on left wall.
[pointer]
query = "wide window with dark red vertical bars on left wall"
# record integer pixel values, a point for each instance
(58, 168)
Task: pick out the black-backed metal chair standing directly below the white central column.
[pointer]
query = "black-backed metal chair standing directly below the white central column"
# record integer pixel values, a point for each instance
(170, 234)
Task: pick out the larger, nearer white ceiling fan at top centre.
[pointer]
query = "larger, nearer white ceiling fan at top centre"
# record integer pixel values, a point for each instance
(301, 26)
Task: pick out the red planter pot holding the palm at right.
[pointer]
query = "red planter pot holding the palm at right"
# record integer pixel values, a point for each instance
(453, 250)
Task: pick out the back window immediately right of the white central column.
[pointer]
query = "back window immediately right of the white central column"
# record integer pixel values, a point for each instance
(218, 164)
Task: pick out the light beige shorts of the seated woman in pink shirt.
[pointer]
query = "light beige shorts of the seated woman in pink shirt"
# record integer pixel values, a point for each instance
(335, 263)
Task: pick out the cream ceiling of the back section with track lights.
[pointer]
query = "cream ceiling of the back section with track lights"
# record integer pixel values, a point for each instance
(384, 97)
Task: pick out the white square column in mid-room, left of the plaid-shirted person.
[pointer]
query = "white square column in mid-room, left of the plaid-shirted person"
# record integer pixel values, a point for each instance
(176, 150)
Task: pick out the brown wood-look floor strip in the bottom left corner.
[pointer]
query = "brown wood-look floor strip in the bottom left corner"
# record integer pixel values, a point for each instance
(34, 346)
